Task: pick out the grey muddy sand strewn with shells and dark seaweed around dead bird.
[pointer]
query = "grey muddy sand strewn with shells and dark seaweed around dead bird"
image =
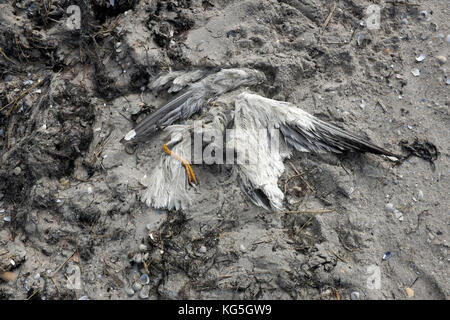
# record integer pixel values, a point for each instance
(72, 224)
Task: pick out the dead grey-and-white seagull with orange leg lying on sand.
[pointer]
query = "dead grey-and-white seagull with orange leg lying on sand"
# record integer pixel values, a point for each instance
(256, 134)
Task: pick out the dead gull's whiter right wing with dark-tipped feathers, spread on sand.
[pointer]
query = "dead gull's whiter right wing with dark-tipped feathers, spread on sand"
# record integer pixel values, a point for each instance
(256, 116)
